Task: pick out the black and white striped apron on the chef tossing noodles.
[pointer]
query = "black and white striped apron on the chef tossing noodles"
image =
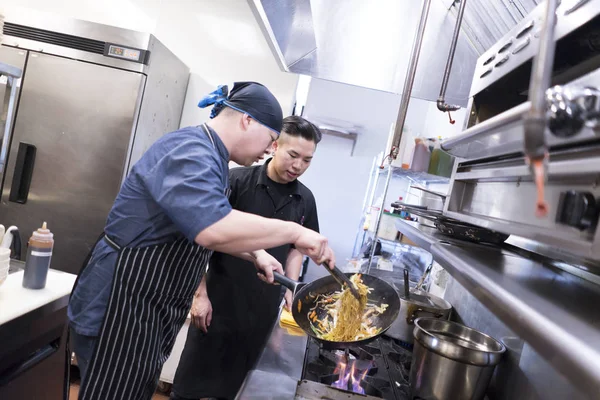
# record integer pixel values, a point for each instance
(152, 293)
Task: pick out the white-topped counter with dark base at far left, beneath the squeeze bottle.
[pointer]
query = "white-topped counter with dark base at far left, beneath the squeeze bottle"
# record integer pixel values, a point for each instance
(33, 325)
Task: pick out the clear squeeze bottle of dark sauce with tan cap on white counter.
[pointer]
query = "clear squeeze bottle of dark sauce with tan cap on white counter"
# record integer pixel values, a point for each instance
(39, 255)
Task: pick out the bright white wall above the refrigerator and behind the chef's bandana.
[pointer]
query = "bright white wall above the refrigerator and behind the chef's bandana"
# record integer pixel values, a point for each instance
(220, 41)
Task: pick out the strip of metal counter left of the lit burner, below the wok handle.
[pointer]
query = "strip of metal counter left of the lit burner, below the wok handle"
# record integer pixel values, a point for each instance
(279, 368)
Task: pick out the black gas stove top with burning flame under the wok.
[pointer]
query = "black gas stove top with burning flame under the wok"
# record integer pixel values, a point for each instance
(380, 368)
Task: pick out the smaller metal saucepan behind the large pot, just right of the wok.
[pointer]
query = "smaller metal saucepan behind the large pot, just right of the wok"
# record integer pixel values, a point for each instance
(417, 304)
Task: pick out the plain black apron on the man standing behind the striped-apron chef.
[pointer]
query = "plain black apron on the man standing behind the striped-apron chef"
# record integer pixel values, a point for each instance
(215, 364)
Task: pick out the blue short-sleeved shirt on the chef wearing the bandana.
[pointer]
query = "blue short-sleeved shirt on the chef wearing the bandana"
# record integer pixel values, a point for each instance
(177, 188)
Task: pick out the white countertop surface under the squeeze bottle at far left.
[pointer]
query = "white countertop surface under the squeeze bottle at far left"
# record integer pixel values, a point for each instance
(15, 300)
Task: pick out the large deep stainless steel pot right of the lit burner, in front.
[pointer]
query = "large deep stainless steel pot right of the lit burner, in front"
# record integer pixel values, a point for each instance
(451, 361)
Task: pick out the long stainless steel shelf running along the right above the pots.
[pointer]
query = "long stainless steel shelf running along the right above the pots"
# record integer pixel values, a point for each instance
(552, 310)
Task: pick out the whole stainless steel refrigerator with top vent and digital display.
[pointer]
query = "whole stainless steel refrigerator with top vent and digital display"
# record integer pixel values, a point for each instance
(91, 99)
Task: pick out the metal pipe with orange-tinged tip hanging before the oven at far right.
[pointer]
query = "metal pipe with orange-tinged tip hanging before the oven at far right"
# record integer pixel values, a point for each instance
(536, 151)
